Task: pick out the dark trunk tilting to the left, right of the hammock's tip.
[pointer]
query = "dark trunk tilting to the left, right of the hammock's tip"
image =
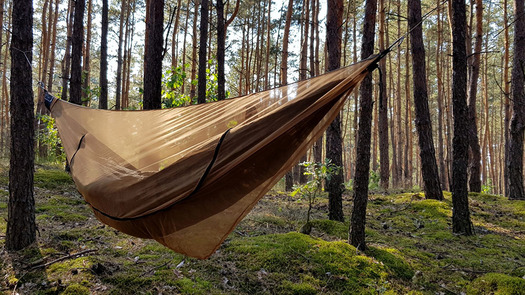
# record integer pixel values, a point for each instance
(427, 153)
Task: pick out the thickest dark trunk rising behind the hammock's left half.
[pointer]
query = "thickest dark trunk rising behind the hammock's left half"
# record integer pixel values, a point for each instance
(153, 54)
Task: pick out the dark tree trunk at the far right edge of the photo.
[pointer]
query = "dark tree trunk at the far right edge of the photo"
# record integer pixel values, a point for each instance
(517, 124)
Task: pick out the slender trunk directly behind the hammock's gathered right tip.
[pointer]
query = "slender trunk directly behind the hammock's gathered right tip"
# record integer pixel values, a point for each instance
(383, 106)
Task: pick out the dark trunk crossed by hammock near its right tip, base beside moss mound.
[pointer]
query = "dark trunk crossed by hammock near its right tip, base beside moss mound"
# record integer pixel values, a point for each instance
(358, 219)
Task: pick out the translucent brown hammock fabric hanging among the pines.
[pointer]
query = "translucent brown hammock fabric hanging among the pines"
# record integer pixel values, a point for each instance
(187, 176)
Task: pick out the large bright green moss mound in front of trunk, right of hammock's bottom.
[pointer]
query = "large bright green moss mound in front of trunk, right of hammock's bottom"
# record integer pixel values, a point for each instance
(336, 264)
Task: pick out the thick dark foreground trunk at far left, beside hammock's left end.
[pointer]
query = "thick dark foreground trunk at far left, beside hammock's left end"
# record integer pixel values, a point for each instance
(21, 226)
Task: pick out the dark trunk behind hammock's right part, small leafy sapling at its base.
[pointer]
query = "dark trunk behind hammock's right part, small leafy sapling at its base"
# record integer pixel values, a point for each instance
(334, 141)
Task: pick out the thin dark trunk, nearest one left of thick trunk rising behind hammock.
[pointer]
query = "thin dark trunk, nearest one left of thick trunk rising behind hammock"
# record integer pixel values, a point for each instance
(103, 103)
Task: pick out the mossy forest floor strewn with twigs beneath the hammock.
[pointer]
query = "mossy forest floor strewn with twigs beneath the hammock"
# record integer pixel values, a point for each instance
(411, 250)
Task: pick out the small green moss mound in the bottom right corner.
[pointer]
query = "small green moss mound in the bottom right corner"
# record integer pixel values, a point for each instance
(496, 283)
